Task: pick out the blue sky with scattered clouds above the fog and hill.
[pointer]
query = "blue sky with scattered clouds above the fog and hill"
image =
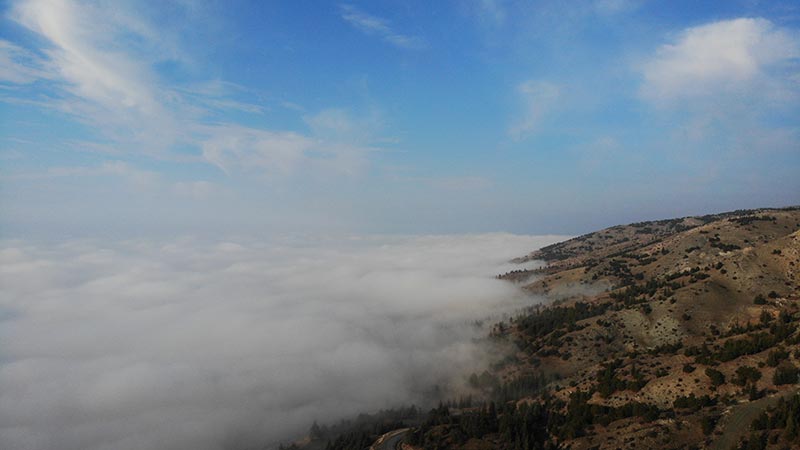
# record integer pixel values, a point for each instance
(392, 117)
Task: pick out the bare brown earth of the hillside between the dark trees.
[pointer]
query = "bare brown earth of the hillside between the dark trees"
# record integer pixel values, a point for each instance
(706, 272)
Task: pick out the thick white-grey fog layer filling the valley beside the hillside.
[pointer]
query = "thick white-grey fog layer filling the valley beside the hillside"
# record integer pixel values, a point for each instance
(197, 345)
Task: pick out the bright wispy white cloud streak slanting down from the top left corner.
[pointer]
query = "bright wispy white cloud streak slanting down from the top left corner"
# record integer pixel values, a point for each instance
(101, 62)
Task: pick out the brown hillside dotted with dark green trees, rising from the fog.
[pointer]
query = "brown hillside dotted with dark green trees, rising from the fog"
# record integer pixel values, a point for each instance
(677, 333)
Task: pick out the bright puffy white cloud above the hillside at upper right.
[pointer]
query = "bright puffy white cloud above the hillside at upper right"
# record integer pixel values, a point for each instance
(732, 56)
